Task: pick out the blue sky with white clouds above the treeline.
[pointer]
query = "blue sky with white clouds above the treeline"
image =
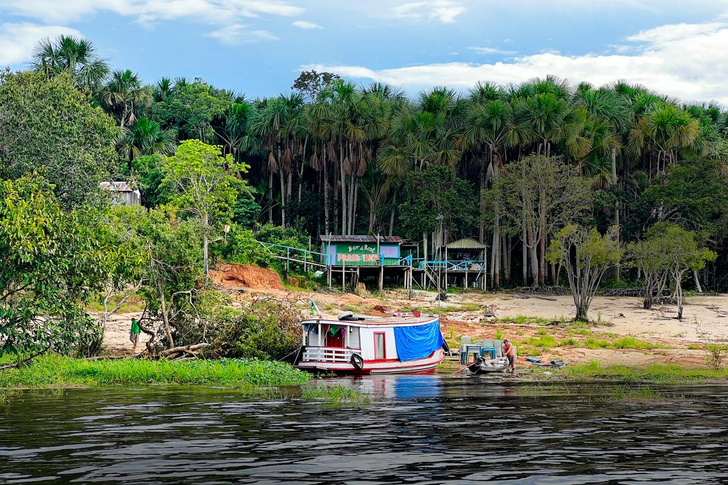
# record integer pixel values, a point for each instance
(258, 47)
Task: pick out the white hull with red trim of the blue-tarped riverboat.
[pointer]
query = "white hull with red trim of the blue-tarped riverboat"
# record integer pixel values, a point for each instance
(371, 367)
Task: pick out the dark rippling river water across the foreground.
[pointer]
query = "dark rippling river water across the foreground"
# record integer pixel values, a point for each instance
(416, 430)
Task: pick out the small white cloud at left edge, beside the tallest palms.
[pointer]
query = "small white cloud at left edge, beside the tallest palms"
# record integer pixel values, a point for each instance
(18, 40)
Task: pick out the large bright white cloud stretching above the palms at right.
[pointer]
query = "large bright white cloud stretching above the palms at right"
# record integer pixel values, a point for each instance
(686, 61)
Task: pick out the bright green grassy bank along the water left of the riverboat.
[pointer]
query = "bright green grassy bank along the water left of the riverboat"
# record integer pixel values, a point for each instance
(56, 371)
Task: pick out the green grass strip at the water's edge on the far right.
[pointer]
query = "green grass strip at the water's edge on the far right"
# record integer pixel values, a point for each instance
(659, 373)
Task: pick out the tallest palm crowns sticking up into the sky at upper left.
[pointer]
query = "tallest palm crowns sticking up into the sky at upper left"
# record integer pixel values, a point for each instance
(73, 55)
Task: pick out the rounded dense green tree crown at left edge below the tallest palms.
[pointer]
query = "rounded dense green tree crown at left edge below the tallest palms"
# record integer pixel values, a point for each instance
(48, 126)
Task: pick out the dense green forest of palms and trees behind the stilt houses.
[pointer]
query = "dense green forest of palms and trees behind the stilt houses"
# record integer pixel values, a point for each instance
(512, 166)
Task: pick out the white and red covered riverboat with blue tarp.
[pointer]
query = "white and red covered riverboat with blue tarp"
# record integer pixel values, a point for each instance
(357, 344)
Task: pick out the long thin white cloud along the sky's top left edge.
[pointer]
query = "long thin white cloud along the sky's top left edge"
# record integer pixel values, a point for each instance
(149, 11)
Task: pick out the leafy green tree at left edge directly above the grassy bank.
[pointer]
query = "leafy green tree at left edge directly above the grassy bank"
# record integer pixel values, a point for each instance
(53, 261)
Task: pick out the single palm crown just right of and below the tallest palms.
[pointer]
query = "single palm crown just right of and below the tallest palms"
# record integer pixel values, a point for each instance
(124, 96)
